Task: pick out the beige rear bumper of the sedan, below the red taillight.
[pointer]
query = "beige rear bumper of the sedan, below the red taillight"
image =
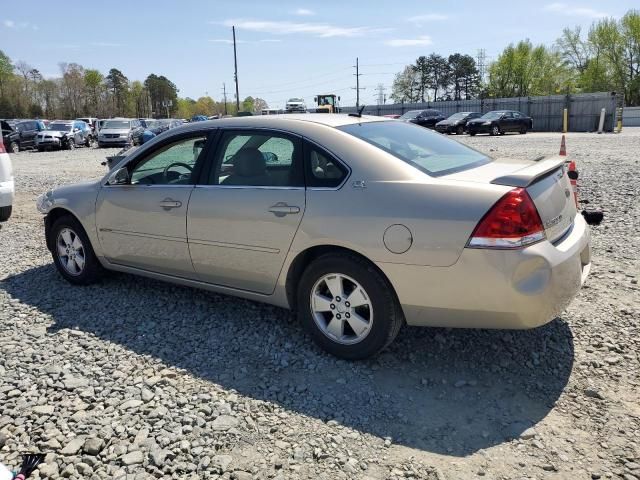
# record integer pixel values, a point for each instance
(496, 288)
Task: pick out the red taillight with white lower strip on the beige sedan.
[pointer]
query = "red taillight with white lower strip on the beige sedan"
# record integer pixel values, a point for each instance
(513, 222)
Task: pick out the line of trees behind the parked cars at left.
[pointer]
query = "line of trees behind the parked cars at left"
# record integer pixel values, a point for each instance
(85, 92)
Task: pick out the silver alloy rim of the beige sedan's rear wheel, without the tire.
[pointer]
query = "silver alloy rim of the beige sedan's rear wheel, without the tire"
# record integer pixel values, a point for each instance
(341, 308)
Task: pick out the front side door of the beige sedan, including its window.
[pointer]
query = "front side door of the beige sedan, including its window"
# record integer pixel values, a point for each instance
(142, 221)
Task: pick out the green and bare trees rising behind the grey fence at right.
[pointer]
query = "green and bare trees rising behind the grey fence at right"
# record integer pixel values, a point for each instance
(606, 58)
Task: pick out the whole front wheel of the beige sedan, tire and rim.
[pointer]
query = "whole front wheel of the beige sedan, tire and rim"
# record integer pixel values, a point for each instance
(72, 252)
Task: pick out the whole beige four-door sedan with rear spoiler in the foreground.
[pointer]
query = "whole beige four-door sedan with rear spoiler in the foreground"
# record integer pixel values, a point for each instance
(359, 224)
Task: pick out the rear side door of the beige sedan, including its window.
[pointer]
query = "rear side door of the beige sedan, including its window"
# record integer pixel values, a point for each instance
(243, 217)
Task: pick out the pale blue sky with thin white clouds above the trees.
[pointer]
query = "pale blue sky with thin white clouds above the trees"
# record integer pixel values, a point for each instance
(288, 48)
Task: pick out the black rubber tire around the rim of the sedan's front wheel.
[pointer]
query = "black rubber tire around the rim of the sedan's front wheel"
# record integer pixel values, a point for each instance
(92, 270)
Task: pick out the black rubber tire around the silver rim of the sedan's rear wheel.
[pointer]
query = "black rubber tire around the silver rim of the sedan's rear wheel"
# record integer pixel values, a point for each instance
(387, 314)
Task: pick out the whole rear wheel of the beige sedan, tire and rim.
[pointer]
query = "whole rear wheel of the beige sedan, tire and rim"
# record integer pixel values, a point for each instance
(347, 306)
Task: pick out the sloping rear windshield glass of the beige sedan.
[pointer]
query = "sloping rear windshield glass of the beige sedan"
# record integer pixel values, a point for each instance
(426, 150)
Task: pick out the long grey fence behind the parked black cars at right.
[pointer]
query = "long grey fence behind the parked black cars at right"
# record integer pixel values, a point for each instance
(547, 111)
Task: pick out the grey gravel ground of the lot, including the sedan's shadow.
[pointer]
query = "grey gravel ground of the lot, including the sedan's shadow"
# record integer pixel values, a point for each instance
(135, 378)
